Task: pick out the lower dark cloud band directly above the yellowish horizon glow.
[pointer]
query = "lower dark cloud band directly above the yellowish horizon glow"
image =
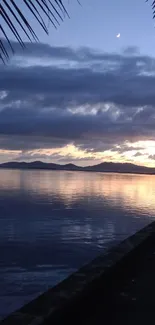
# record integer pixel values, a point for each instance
(32, 129)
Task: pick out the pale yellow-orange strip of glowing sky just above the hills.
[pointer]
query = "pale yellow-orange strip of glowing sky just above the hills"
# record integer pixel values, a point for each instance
(140, 155)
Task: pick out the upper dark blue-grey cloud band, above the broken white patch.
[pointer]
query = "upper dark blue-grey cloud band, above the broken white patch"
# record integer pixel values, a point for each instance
(119, 79)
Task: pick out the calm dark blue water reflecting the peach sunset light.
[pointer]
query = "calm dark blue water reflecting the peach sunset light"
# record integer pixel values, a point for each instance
(53, 222)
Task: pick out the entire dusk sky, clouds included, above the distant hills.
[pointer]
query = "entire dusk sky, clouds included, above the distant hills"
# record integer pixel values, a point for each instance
(82, 95)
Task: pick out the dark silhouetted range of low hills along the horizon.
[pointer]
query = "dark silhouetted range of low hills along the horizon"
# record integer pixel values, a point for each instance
(107, 167)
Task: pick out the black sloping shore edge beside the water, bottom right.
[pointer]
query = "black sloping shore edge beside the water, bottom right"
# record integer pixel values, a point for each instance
(94, 285)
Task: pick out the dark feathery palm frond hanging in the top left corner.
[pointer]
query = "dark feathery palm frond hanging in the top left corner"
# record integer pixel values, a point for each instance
(14, 22)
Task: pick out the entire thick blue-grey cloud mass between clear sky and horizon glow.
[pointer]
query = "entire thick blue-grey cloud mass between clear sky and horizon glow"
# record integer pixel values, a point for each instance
(38, 104)
